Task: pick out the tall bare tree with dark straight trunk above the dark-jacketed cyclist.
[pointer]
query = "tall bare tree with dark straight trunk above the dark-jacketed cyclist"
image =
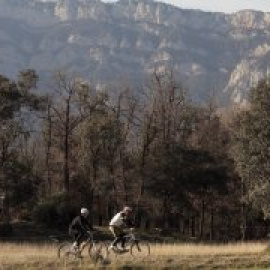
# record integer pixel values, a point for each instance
(67, 115)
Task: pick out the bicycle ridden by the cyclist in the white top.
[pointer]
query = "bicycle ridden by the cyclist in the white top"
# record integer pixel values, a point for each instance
(133, 245)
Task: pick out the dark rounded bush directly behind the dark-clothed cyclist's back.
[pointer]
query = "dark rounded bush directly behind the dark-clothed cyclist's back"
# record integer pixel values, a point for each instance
(55, 212)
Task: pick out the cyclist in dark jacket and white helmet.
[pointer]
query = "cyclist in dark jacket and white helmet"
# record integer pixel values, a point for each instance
(79, 228)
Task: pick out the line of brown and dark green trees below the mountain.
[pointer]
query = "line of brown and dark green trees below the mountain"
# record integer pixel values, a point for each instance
(183, 167)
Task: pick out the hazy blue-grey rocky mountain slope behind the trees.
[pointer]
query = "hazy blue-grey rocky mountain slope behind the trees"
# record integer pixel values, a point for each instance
(211, 52)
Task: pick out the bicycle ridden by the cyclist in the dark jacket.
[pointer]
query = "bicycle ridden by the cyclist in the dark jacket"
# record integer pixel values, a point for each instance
(96, 251)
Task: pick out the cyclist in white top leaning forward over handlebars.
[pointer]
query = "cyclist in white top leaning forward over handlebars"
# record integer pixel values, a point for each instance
(120, 221)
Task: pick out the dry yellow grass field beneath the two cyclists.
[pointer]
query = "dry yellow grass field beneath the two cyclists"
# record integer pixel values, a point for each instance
(178, 256)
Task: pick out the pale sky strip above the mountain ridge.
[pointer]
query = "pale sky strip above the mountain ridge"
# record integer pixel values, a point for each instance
(227, 6)
